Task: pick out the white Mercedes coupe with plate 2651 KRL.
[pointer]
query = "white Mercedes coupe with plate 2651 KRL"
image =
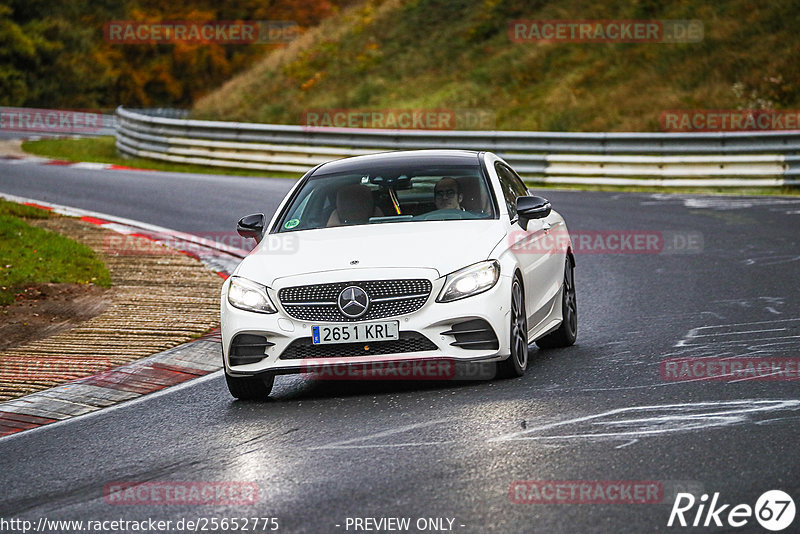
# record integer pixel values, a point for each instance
(418, 255)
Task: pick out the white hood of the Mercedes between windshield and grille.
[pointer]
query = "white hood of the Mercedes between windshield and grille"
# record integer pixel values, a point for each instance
(445, 246)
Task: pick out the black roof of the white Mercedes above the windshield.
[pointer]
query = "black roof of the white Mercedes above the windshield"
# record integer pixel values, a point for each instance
(404, 157)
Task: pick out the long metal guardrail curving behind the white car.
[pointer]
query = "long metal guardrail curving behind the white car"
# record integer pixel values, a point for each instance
(675, 159)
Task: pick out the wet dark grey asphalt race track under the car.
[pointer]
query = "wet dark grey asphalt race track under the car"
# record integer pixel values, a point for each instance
(322, 452)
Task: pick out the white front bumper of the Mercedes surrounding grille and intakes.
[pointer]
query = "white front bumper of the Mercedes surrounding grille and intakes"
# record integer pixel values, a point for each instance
(433, 321)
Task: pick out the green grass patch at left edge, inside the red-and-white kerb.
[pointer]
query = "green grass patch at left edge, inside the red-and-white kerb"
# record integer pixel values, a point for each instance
(31, 255)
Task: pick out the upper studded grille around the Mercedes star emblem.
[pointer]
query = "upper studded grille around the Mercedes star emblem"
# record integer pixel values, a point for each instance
(388, 298)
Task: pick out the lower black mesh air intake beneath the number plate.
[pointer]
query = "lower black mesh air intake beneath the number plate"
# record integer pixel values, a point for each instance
(408, 342)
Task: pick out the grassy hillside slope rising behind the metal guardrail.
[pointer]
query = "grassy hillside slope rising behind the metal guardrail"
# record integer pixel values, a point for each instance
(446, 54)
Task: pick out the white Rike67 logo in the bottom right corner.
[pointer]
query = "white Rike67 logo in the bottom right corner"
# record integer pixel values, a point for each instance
(774, 510)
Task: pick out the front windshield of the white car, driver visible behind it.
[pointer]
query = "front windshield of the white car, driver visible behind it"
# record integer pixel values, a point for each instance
(453, 192)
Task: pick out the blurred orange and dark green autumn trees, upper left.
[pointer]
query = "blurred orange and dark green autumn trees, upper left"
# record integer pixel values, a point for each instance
(53, 54)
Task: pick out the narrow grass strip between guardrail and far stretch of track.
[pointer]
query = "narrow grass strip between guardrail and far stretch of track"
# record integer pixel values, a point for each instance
(104, 150)
